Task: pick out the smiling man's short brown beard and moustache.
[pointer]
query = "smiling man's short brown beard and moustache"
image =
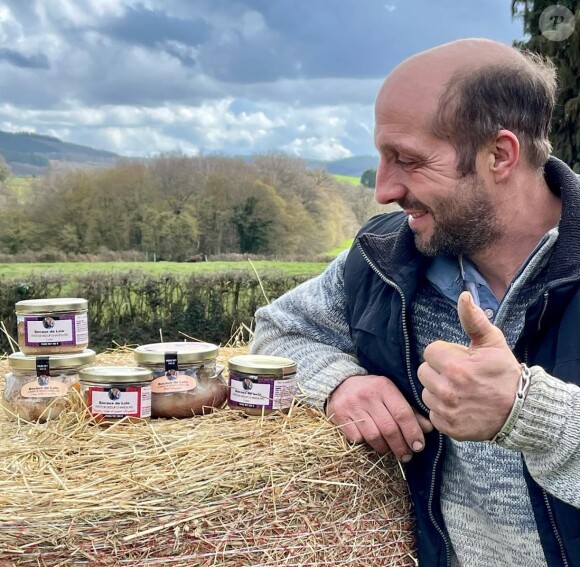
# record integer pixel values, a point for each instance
(464, 223)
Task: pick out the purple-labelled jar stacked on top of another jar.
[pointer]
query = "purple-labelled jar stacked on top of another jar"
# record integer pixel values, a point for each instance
(52, 326)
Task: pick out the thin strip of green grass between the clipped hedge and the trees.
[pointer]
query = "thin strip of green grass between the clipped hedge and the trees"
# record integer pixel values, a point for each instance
(83, 268)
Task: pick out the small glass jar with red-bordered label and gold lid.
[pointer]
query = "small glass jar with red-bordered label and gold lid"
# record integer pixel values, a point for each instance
(117, 392)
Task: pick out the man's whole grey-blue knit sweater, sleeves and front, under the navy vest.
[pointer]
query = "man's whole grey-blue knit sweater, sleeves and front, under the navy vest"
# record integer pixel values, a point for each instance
(489, 522)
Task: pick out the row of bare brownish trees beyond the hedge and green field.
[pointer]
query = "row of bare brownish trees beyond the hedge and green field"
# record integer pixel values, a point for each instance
(178, 207)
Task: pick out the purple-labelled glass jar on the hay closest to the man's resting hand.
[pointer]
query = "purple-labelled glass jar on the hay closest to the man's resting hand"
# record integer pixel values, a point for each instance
(261, 384)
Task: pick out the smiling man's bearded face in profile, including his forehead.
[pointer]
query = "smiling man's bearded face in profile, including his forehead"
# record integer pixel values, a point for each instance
(447, 212)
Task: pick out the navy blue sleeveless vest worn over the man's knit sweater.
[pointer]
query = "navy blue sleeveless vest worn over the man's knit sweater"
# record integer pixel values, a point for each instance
(381, 275)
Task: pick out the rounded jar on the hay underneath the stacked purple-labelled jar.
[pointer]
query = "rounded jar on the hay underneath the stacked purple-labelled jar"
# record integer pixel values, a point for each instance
(36, 386)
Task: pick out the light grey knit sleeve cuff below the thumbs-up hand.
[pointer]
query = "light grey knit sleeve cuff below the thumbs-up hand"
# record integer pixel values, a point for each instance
(547, 432)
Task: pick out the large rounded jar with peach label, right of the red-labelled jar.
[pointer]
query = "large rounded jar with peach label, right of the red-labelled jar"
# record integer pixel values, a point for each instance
(186, 380)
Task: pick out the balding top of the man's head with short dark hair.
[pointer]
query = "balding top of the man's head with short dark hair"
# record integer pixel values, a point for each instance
(465, 91)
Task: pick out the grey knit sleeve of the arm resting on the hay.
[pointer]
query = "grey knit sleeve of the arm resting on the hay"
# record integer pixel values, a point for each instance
(308, 324)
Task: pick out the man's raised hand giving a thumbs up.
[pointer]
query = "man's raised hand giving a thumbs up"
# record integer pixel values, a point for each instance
(470, 390)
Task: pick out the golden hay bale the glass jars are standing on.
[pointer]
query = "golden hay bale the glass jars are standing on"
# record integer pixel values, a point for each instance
(221, 489)
